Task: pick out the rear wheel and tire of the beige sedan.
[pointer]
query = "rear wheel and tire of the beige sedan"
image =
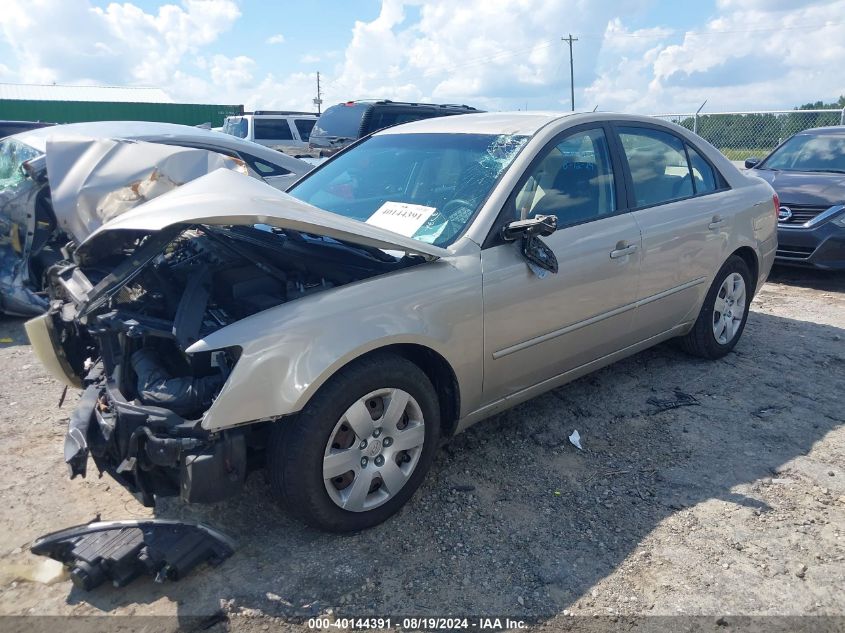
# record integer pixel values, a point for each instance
(719, 326)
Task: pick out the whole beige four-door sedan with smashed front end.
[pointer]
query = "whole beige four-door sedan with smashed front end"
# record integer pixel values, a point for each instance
(425, 279)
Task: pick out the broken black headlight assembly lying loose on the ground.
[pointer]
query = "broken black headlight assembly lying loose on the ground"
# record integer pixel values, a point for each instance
(120, 551)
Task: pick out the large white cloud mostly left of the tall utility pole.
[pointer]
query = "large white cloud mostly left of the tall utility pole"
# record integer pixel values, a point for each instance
(492, 54)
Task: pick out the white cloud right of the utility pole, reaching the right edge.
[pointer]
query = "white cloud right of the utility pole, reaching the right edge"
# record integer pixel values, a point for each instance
(755, 54)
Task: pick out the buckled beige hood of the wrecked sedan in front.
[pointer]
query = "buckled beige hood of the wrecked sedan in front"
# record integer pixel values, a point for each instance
(227, 198)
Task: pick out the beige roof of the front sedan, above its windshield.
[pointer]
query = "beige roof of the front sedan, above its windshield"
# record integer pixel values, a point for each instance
(521, 123)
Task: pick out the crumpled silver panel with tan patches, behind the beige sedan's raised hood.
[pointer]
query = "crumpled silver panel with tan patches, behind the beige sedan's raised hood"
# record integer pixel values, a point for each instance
(94, 180)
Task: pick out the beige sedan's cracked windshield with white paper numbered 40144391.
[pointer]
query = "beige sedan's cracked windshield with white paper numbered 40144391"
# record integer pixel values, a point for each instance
(424, 186)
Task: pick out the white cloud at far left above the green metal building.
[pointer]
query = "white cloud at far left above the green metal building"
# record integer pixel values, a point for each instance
(74, 42)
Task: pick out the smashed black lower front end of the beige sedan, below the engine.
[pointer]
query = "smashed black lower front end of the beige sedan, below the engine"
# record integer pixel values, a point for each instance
(152, 450)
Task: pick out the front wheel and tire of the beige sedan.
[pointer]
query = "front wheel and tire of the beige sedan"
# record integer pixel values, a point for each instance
(360, 448)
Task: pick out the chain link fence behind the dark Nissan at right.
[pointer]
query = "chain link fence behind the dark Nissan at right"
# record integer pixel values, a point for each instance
(740, 135)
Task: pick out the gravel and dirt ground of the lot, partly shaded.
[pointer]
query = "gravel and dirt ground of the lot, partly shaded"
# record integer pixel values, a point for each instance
(732, 506)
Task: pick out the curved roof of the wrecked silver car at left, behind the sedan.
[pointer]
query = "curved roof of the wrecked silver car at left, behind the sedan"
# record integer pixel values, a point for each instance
(158, 133)
